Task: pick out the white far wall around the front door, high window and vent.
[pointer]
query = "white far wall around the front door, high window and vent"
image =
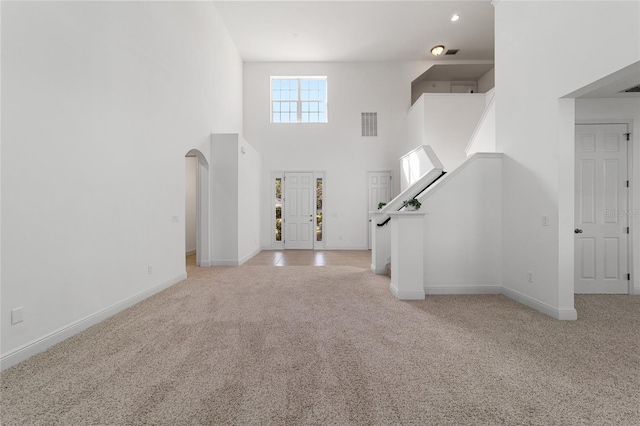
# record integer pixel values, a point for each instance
(336, 147)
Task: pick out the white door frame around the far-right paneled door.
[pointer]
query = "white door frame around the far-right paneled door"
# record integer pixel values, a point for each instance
(630, 200)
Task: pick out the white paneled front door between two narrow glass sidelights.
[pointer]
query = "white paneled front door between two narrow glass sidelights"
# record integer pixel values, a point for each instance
(299, 210)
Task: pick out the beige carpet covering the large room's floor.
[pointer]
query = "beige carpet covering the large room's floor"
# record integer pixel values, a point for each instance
(329, 345)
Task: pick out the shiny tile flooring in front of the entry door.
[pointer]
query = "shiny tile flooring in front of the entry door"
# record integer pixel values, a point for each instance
(357, 258)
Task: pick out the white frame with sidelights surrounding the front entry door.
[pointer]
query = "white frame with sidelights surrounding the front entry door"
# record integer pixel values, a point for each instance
(275, 174)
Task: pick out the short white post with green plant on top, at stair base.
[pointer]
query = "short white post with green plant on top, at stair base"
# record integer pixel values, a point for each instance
(407, 251)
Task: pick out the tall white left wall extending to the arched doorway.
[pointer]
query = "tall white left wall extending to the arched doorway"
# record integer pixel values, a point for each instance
(101, 101)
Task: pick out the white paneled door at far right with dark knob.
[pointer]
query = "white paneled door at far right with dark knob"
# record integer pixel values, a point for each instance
(601, 233)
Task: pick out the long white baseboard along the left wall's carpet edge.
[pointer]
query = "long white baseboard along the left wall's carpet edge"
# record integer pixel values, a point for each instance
(43, 343)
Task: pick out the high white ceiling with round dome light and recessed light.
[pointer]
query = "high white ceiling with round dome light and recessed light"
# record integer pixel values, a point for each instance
(344, 31)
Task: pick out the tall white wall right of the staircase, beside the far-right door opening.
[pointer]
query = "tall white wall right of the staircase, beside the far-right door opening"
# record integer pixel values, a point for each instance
(534, 128)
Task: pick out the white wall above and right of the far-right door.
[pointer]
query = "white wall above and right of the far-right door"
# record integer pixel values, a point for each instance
(602, 110)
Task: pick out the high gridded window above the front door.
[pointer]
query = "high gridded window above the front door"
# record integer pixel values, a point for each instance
(298, 99)
